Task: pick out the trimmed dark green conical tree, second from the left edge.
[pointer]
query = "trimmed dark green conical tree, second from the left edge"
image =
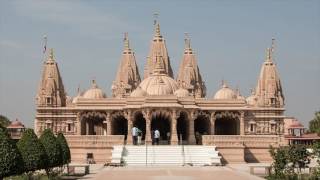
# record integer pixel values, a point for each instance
(33, 153)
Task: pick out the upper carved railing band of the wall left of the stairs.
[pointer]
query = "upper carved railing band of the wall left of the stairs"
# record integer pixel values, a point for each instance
(94, 141)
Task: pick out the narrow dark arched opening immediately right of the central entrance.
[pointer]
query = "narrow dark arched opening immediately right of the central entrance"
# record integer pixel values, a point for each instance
(182, 128)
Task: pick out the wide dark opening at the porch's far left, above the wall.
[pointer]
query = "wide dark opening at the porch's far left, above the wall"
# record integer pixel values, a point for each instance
(92, 125)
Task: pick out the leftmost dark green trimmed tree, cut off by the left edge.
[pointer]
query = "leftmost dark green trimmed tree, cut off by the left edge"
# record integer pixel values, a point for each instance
(10, 159)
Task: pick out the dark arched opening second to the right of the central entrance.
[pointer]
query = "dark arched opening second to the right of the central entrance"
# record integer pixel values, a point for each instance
(201, 127)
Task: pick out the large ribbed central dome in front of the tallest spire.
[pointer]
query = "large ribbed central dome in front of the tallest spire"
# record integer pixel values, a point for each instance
(159, 84)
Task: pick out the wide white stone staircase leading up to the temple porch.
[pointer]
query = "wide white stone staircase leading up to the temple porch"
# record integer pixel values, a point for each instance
(175, 155)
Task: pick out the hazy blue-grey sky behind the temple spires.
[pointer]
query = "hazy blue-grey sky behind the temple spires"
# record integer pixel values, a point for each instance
(229, 38)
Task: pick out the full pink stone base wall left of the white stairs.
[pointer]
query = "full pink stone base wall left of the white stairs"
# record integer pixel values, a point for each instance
(99, 146)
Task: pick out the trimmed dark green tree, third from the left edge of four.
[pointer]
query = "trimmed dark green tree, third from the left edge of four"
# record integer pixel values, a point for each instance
(52, 149)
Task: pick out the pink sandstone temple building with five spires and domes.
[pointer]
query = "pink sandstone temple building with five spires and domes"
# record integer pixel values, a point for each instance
(241, 128)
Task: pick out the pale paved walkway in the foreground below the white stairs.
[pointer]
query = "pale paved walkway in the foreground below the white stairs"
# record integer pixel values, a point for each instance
(171, 173)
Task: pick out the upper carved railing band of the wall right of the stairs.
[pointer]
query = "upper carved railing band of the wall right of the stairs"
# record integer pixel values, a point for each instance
(250, 141)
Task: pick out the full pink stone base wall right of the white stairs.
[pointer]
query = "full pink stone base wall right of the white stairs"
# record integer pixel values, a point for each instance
(244, 148)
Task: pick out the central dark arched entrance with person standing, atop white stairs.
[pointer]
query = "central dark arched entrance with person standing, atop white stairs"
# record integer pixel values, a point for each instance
(161, 122)
